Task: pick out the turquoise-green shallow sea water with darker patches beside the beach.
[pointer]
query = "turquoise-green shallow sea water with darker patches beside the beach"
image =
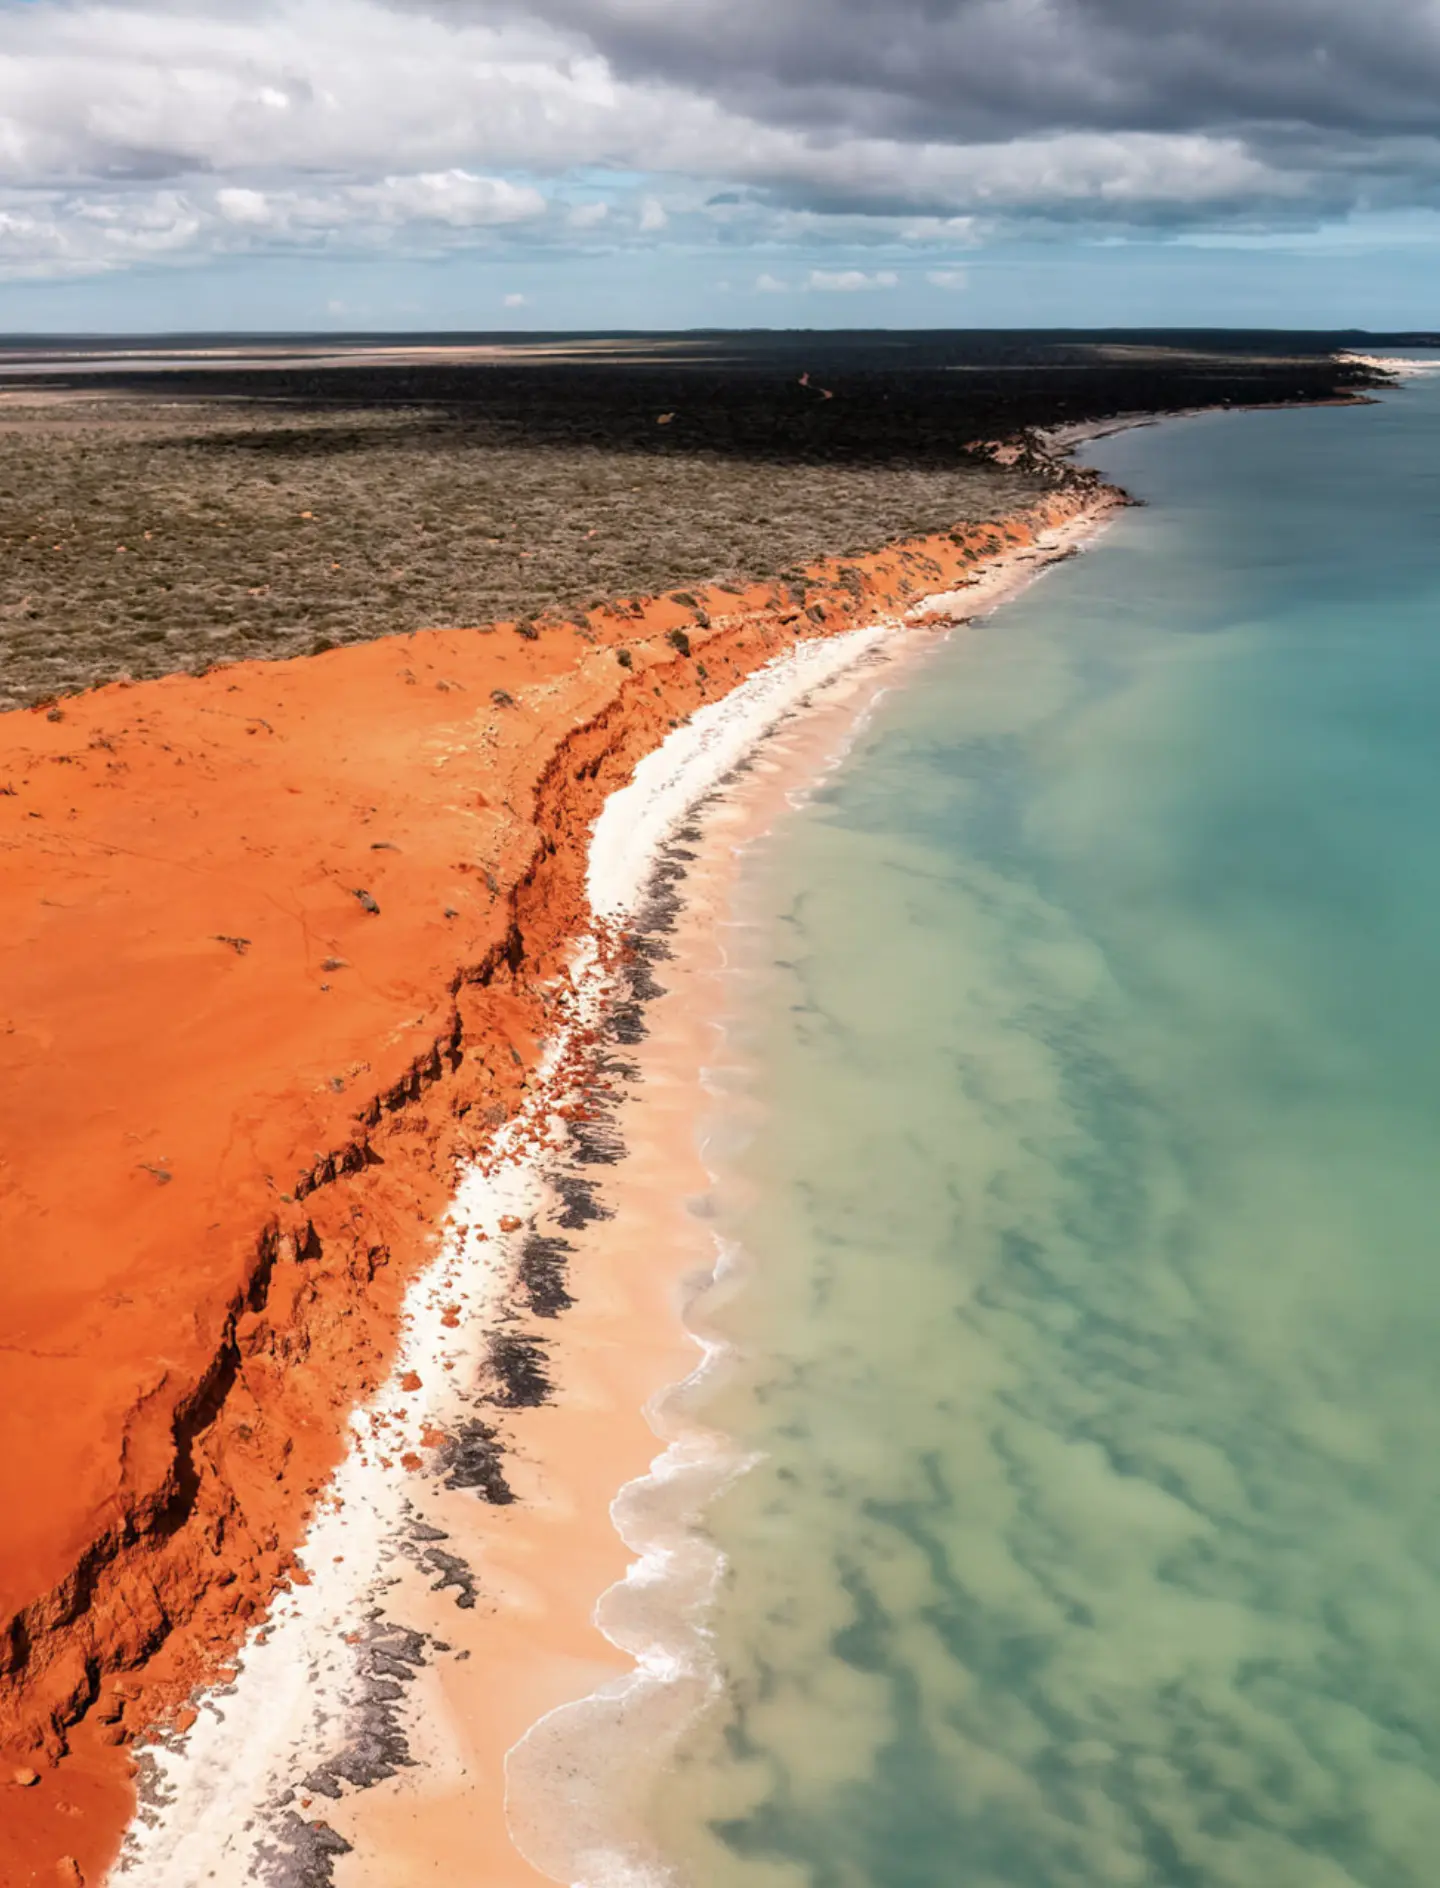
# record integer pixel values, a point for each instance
(1090, 1306)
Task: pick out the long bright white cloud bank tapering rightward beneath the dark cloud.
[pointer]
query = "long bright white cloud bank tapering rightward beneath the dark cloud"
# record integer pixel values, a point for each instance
(354, 90)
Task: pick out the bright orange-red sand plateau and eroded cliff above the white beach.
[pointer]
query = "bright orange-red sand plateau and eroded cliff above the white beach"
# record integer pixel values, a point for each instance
(273, 960)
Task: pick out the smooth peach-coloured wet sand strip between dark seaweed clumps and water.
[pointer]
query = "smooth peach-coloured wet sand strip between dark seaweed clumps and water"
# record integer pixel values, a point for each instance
(544, 1562)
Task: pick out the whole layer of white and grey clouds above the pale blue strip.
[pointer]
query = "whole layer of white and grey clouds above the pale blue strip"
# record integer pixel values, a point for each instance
(163, 129)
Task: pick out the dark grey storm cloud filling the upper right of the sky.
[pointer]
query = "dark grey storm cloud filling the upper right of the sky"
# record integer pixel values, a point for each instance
(1003, 69)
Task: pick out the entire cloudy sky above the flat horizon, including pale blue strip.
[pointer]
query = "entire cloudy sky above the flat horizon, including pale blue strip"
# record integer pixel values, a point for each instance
(346, 165)
